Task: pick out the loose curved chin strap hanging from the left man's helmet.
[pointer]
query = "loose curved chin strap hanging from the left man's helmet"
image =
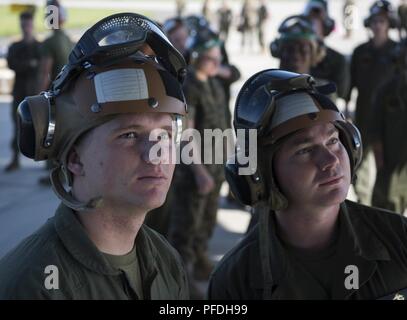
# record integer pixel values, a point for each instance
(67, 198)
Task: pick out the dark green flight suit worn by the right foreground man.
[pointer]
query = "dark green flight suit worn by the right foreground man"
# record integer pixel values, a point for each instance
(371, 241)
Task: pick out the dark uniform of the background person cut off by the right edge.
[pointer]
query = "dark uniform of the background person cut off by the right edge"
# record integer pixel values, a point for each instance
(389, 127)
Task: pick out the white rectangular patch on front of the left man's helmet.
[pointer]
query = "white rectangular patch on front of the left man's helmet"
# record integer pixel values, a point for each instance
(121, 85)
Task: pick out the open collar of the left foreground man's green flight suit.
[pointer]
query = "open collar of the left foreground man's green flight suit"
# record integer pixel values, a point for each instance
(77, 242)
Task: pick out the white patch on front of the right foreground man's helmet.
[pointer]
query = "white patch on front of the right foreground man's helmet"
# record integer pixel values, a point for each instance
(292, 106)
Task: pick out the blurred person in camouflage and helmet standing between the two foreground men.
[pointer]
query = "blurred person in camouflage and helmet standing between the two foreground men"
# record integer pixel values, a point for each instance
(197, 186)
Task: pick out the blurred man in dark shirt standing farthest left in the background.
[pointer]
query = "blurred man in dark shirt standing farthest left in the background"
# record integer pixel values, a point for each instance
(23, 58)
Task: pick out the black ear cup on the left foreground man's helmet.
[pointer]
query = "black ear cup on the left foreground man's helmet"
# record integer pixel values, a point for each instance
(25, 132)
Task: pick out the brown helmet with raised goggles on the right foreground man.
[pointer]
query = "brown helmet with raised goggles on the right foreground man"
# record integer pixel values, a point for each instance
(277, 103)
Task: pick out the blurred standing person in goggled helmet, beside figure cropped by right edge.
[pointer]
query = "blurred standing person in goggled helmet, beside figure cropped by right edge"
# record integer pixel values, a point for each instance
(371, 65)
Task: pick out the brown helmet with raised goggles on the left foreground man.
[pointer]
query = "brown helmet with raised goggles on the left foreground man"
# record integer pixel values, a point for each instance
(123, 64)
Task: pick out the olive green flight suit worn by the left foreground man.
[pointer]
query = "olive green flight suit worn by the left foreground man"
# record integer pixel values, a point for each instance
(83, 271)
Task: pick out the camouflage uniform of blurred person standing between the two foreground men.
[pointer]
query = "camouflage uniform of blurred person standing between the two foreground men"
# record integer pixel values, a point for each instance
(193, 216)
